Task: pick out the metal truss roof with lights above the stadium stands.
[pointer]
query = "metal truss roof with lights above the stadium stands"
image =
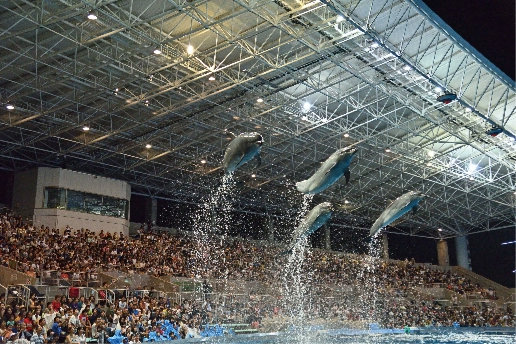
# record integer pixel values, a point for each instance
(144, 92)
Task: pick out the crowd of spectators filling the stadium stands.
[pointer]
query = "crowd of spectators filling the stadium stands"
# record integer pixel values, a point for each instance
(80, 253)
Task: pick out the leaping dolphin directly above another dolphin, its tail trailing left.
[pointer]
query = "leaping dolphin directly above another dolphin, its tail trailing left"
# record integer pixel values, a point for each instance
(329, 172)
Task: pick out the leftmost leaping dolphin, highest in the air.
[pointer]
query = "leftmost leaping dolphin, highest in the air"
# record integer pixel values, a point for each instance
(241, 149)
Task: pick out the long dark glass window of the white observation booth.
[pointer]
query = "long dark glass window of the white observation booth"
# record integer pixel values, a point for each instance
(60, 198)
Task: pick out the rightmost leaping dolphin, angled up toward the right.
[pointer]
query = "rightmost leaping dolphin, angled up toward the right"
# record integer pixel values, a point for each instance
(398, 208)
